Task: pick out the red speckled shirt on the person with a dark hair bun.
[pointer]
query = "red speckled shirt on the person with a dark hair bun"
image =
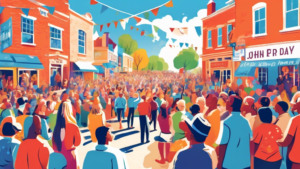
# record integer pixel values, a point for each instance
(266, 136)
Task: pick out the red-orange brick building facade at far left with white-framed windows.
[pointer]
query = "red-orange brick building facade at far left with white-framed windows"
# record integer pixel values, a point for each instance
(40, 34)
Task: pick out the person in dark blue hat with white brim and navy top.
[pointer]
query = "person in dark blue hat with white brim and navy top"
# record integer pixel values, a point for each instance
(198, 155)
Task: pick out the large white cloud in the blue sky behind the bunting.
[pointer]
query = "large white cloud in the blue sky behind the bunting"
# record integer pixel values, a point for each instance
(191, 38)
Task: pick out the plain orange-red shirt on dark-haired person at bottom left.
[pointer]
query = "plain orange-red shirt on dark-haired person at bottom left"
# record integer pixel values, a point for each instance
(32, 154)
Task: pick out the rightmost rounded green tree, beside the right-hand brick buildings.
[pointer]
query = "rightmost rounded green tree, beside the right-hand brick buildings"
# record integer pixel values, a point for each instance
(187, 59)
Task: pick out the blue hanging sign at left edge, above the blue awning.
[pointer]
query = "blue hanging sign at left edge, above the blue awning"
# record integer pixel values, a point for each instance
(6, 34)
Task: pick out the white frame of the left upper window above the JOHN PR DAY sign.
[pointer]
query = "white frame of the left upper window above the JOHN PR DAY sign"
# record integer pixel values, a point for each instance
(256, 7)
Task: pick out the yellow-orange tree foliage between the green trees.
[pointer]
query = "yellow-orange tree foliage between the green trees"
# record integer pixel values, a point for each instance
(140, 59)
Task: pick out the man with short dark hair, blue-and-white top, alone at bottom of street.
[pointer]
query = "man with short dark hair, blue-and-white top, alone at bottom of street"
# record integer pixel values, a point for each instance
(104, 155)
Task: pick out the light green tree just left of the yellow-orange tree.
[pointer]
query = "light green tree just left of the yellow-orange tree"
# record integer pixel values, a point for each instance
(128, 44)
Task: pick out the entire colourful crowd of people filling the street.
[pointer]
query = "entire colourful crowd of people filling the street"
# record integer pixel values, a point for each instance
(202, 125)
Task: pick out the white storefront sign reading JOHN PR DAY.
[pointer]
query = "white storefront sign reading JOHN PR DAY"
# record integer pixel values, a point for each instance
(281, 51)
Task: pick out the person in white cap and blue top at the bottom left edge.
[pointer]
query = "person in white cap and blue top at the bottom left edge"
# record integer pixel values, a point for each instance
(9, 145)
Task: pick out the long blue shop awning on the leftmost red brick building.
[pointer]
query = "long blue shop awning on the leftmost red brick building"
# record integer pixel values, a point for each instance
(21, 61)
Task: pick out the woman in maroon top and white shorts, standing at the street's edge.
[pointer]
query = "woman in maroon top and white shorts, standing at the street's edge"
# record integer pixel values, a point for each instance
(165, 137)
